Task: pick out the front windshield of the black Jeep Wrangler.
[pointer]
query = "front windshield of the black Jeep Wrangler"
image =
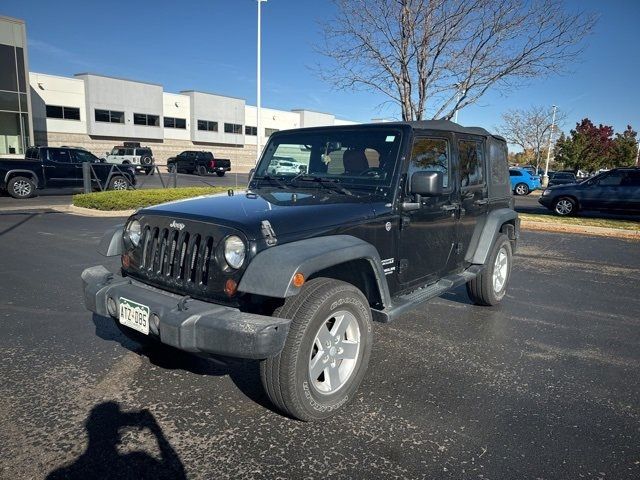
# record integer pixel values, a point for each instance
(364, 158)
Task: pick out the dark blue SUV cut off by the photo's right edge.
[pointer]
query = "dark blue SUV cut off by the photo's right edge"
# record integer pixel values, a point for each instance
(615, 190)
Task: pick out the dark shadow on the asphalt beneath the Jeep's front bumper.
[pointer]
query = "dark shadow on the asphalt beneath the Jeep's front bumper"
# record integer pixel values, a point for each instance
(245, 374)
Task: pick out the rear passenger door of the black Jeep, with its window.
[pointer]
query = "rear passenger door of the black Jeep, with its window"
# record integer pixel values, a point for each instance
(472, 178)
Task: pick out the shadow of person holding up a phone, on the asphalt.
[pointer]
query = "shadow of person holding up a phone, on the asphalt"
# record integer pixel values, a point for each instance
(102, 460)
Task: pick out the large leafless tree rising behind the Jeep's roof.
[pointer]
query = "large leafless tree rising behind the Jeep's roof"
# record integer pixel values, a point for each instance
(433, 57)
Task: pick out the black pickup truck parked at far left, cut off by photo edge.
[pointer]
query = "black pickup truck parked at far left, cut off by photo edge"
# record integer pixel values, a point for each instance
(51, 167)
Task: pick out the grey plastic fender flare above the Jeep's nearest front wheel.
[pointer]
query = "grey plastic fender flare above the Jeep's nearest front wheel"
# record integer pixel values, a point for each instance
(271, 271)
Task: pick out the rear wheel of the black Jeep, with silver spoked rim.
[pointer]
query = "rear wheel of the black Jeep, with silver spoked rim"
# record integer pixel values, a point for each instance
(487, 289)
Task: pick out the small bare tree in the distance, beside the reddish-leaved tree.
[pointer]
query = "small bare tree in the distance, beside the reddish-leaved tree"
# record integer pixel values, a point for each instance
(530, 128)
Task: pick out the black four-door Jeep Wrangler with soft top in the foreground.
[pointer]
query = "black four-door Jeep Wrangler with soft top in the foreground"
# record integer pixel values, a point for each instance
(292, 272)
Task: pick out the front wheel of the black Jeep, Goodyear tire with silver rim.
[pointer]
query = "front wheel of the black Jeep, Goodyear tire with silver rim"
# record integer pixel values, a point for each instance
(323, 306)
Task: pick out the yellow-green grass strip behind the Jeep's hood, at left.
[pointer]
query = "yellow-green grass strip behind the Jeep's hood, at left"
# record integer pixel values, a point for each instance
(133, 199)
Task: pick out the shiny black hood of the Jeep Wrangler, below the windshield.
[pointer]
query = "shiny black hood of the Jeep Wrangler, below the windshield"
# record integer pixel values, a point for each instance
(291, 213)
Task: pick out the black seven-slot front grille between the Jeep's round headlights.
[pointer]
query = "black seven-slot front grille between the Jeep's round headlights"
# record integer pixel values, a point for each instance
(175, 256)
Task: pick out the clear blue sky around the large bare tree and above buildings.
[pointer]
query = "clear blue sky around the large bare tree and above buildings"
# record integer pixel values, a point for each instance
(210, 46)
